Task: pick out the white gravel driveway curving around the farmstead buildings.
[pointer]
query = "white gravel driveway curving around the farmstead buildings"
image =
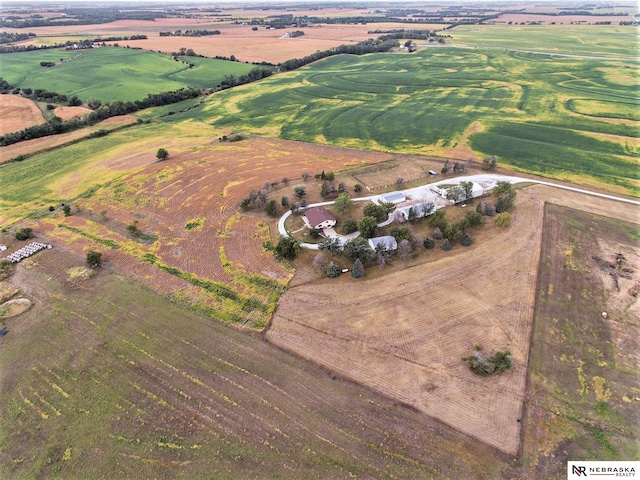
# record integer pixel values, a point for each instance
(487, 180)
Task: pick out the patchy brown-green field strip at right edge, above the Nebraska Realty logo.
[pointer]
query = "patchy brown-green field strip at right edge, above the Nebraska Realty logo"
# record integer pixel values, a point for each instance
(583, 375)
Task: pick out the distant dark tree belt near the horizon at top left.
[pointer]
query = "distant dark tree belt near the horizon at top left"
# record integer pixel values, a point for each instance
(80, 16)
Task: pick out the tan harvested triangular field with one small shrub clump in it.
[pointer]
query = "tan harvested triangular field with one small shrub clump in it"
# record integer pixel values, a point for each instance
(398, 335)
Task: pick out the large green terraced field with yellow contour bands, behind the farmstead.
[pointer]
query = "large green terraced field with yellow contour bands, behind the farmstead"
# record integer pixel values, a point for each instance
(562, 117)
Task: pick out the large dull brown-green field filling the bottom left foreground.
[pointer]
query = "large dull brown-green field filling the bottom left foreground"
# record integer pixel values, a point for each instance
(122, 382)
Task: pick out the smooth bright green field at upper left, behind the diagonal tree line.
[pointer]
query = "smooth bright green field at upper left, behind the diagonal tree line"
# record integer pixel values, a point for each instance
(110, 74)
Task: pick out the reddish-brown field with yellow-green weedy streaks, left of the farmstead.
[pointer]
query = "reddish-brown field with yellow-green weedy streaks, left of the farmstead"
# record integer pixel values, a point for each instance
(191, 230)
